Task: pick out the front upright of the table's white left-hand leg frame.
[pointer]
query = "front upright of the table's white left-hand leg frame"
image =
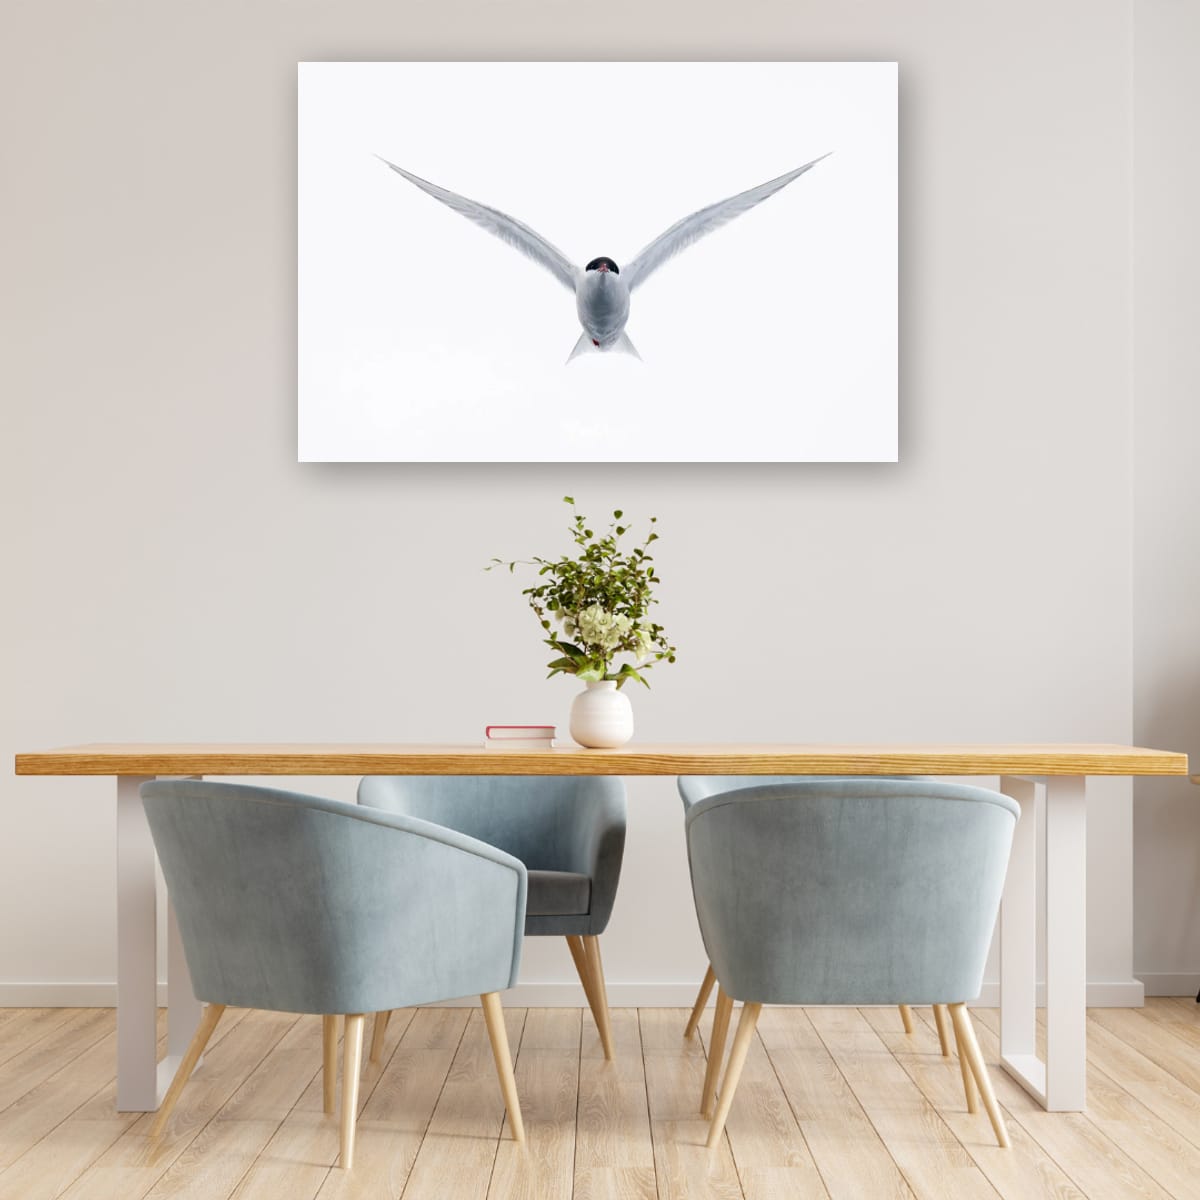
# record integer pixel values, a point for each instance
(137, 1003)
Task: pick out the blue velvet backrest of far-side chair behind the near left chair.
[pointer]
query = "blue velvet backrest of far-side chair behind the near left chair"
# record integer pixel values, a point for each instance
(547, 821)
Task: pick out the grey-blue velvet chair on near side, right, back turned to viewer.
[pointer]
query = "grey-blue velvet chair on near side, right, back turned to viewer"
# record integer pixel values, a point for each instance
(851, 892)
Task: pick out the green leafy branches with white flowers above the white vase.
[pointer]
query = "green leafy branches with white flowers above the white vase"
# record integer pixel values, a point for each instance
(602, 601)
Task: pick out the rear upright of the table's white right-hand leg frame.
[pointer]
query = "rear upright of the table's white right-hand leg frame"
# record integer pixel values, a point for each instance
(1019, 946)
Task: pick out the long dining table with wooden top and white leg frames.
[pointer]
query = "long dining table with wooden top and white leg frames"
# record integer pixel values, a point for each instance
(1059, 772)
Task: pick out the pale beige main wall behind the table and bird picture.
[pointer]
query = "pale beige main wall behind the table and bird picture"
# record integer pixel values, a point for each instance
(173, 574)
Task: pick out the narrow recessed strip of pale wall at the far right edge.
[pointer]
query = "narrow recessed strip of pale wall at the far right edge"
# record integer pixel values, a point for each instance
(1167, 509)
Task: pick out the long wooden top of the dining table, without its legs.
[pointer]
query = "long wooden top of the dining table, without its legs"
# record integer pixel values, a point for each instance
(637, 759)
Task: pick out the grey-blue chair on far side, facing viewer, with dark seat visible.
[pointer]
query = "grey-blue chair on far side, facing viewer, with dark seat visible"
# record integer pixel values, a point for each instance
(568, 831)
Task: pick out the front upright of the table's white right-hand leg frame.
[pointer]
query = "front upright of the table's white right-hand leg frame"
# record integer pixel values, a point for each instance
(1066, 945)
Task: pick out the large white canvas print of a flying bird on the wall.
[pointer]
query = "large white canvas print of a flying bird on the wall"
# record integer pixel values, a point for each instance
(598, 262)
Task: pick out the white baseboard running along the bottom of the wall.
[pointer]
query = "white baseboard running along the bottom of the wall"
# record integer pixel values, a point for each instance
(1101, 994)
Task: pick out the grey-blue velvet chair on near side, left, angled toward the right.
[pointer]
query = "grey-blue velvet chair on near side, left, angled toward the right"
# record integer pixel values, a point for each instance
(304, 905)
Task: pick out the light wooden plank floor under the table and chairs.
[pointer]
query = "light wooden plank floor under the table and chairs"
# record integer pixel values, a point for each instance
(835, 1103)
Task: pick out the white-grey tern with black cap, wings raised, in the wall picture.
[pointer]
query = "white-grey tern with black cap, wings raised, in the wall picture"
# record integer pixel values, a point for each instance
(602, 289)
